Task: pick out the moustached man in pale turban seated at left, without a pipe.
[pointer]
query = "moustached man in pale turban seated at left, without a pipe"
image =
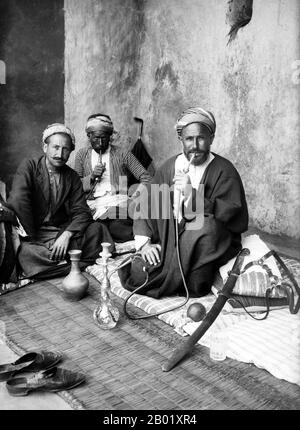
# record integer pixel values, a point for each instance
(48, 198)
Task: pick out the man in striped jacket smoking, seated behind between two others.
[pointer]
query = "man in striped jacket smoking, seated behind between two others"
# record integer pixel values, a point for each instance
(104, 166)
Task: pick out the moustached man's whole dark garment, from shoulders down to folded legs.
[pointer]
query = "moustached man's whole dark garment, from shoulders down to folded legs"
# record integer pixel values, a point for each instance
(30, 198)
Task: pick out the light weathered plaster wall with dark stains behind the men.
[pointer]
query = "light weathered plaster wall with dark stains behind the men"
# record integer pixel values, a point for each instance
(152, 59)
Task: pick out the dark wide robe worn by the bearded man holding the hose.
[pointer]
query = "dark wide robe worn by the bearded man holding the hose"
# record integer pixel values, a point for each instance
(202, 251)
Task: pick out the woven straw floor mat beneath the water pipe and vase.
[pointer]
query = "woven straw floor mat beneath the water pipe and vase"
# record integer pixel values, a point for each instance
(123, 365)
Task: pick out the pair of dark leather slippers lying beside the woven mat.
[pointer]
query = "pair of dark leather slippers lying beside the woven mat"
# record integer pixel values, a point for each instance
(43, 374)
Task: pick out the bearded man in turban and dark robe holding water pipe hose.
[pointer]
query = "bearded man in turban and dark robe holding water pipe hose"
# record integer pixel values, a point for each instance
(203, 248)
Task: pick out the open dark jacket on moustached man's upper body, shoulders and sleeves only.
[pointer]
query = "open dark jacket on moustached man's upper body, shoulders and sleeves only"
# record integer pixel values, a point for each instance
(30, 198)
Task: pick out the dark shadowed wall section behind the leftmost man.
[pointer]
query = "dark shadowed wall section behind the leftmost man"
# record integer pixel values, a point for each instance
(32, 49)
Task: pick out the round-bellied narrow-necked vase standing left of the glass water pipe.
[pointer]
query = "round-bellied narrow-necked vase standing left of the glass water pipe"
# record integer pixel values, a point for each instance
(75, 284)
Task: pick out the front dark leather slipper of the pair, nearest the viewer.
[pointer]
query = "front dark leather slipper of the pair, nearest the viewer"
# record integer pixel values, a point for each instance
(53, 380)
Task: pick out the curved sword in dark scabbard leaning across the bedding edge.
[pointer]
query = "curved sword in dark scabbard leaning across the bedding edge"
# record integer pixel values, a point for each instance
(223, 296)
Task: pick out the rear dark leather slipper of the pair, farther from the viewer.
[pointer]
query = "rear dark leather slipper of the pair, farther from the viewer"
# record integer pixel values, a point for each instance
(31, 362)
